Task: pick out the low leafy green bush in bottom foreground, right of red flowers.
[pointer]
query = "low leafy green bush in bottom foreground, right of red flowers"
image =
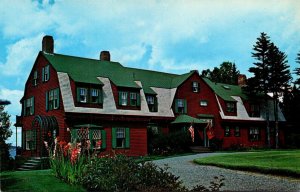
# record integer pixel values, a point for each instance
(122, 173)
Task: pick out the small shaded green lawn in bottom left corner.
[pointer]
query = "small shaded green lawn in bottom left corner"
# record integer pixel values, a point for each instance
(34, 181)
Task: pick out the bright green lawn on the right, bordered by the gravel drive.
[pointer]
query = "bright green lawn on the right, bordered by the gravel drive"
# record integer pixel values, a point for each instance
(278, 162)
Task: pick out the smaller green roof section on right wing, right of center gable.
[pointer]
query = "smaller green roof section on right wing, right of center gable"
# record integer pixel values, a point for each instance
(225, 91)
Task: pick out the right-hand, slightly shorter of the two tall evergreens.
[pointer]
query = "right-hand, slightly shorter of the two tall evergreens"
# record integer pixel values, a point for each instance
(279, 79)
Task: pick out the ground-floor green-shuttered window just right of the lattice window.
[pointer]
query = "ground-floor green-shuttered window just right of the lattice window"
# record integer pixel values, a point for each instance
(120, 137)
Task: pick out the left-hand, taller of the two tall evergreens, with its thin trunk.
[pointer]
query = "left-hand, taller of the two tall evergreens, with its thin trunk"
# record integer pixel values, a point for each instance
(260, 82)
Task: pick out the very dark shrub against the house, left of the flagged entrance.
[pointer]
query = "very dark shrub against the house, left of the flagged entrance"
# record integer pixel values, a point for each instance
(174, 142)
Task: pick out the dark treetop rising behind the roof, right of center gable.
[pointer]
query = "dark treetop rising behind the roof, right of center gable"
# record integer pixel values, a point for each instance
(226, 73)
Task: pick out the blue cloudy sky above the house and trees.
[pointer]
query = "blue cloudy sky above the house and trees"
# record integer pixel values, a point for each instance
(174, 36)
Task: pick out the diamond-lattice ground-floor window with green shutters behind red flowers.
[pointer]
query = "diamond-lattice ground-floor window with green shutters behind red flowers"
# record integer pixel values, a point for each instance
(96, 137)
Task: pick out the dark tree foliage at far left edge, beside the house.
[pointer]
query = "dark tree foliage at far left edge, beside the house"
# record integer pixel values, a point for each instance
(5, 133)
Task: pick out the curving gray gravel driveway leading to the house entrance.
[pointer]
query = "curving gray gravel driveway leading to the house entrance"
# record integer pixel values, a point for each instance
(192, 174)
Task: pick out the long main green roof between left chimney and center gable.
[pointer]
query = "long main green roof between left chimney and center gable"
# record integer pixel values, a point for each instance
(87, 70)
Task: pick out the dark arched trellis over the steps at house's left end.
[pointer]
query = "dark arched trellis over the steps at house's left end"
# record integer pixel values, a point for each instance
(46, 129)
